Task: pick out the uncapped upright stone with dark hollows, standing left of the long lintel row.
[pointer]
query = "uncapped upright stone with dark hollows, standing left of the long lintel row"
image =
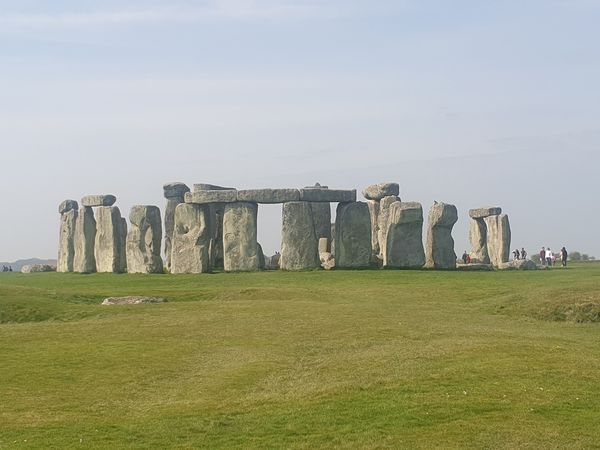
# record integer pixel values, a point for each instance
(143, 240)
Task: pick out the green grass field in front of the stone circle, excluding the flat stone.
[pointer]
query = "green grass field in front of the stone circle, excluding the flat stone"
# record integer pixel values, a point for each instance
(343, 359)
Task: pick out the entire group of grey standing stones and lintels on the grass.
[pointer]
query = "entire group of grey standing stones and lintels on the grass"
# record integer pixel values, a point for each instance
(215, 228)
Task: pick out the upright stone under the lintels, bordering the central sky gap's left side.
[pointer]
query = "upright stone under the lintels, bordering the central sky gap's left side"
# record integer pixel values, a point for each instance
(240, 248)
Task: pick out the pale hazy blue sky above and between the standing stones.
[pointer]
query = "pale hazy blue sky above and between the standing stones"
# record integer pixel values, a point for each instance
(472, 103)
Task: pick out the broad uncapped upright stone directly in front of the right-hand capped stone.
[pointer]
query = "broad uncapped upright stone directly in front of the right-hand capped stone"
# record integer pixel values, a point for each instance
(404, 237)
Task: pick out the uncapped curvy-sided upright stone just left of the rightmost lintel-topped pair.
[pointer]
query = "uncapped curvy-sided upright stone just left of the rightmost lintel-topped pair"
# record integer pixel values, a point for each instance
(439, 251)
